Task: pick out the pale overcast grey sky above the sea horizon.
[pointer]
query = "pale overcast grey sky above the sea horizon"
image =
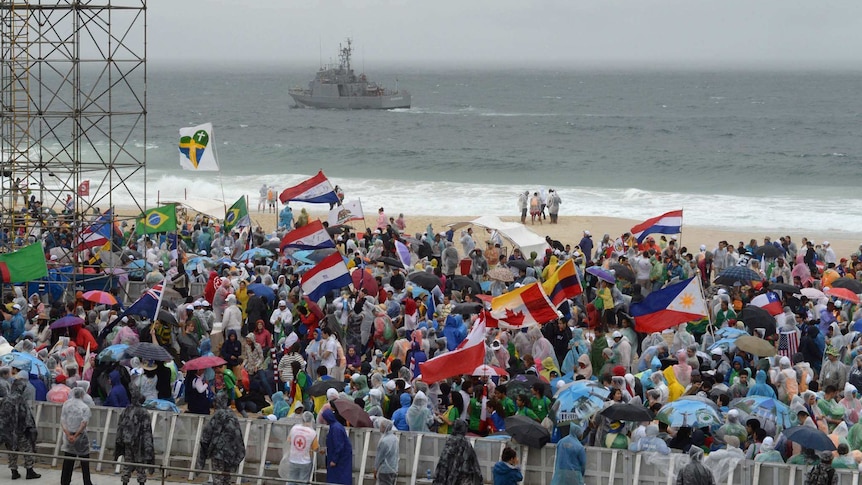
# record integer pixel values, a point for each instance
(555, 33)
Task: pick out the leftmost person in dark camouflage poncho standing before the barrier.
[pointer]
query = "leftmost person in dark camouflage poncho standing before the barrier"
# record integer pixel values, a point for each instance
(19, 428)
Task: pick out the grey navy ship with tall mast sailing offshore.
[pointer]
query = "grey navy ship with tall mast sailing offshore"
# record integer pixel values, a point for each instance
(339, 88)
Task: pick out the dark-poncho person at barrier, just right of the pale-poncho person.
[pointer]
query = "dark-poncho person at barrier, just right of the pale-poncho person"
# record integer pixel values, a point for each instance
(134, 439)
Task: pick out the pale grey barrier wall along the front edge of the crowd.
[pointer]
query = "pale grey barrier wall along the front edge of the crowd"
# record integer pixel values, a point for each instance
(177, 437)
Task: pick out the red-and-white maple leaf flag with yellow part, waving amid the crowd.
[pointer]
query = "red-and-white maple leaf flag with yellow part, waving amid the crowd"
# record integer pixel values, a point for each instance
(522, 307)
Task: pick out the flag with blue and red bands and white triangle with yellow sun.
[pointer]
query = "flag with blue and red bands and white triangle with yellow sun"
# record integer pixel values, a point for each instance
(674, 304)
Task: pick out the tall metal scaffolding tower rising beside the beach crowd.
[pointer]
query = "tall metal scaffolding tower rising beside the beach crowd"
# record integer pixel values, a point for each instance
(73, 131)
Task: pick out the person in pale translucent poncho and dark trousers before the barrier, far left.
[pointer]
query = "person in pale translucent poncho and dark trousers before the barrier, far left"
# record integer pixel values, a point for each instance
(73, 419)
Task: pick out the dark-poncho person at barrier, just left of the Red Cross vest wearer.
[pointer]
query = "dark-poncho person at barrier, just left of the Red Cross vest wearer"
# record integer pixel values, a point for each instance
(221, 441)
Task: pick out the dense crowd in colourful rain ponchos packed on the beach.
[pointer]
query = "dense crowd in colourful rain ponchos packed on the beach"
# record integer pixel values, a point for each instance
(288, 357)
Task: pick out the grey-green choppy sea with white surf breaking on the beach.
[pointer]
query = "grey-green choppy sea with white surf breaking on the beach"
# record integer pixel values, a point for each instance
(777, 151)
